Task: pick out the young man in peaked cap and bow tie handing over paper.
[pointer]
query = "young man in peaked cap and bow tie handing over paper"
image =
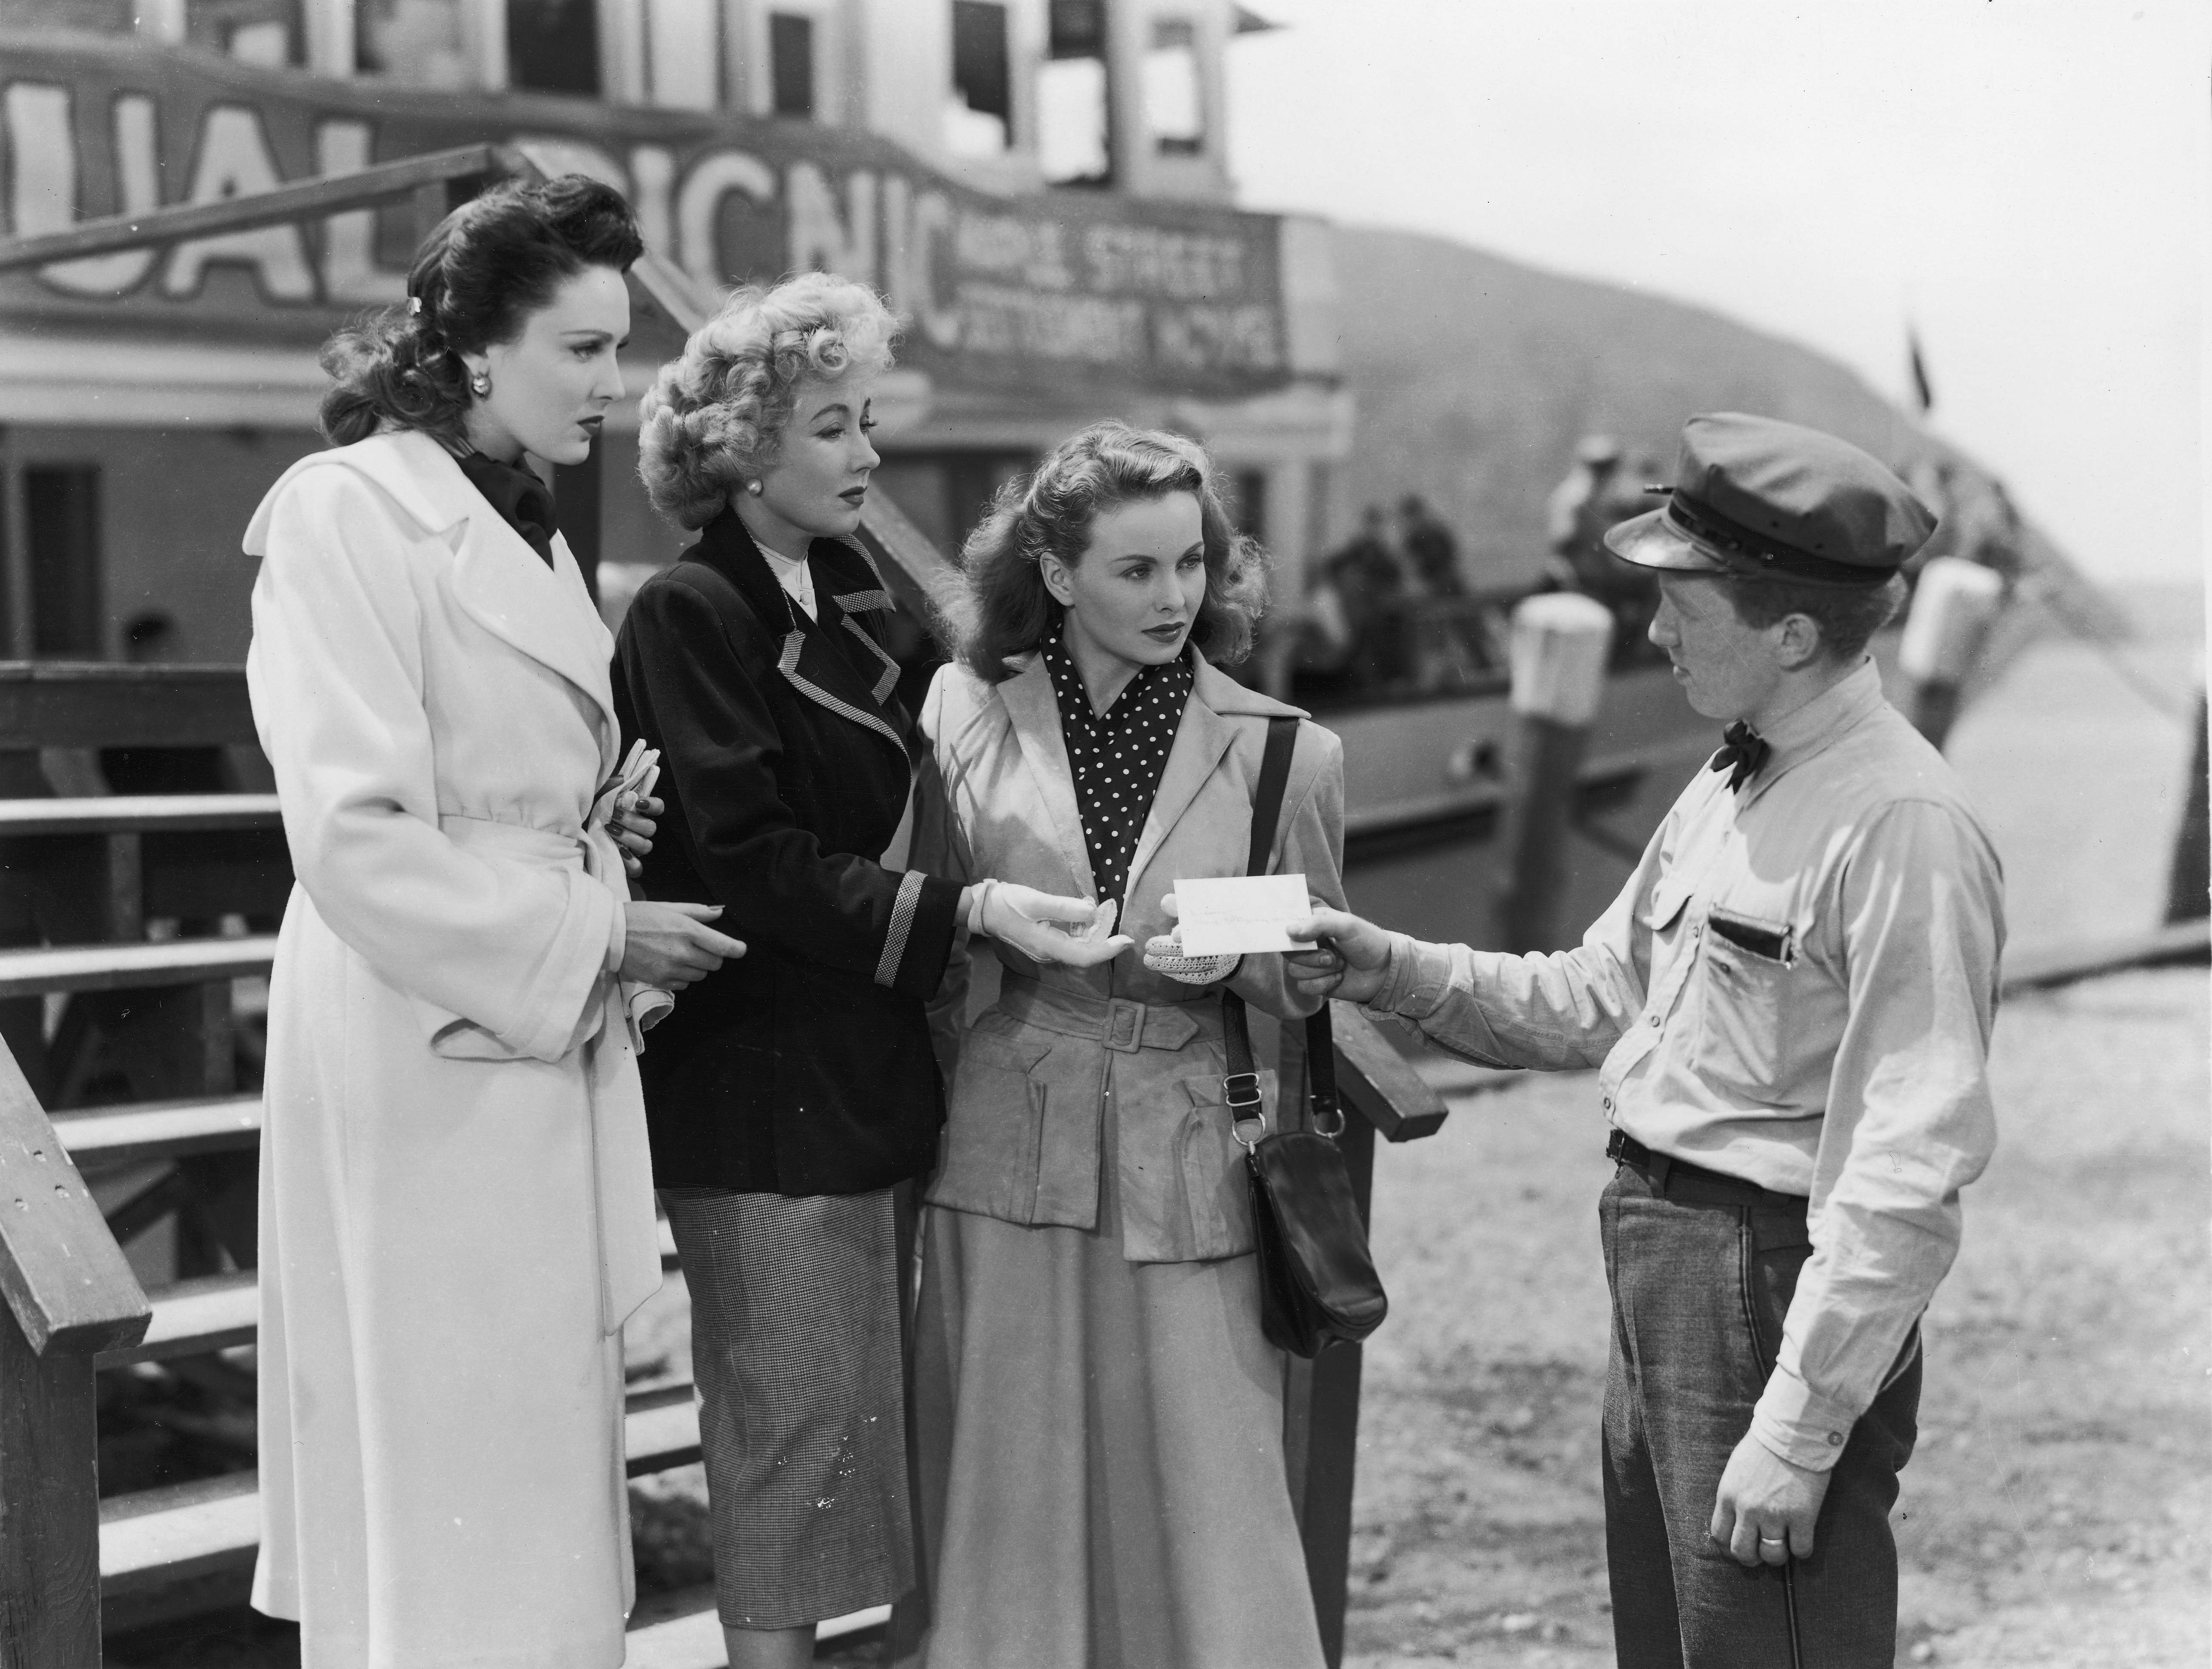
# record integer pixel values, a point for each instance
(1791, 1007)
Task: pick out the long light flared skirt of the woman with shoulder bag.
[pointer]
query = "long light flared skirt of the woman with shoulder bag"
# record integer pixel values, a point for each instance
(1100, 1458)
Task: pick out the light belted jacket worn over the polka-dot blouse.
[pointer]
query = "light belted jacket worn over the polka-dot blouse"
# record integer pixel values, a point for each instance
(1034, 1073)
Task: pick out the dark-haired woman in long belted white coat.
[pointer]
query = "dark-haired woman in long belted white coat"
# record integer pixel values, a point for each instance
(457, 1204)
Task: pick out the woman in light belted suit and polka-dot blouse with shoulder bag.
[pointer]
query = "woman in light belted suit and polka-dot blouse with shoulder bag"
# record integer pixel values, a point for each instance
(1100, 1423)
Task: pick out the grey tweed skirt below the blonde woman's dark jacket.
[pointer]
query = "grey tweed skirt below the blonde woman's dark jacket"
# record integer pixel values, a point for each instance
(802, 1400)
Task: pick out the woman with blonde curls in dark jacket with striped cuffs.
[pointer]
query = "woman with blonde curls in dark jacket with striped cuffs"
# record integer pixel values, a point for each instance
(791, 1095)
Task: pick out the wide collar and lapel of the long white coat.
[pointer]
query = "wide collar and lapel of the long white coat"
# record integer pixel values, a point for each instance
(503, 585)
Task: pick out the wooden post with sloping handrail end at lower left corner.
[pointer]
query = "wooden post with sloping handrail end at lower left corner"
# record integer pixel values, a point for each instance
(70, 1297)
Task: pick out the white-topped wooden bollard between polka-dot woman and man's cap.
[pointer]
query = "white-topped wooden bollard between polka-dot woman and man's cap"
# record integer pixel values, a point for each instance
(1558, 658)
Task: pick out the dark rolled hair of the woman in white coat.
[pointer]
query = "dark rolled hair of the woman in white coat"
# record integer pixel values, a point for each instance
(481, 273)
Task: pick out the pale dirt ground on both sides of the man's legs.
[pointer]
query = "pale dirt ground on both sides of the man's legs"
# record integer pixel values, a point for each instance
(2056, 1511)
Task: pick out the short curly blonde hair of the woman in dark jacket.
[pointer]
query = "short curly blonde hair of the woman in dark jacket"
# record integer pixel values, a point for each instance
(716, 414)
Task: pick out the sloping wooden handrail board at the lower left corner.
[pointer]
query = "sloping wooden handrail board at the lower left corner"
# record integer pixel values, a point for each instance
(63, 1274)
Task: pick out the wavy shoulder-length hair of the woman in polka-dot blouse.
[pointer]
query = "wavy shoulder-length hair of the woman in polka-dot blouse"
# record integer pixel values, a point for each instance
(1008, 609)
